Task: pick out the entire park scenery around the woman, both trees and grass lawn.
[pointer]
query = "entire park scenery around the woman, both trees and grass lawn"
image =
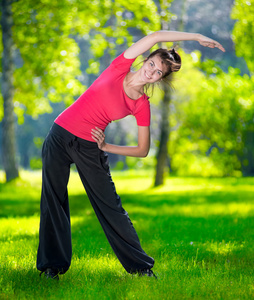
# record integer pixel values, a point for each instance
(193, 193)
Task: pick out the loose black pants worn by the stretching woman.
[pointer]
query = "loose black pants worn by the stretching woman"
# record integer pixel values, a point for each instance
(60, 150)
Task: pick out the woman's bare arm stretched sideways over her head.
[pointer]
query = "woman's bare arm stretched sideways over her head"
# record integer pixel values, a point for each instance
(150, 40)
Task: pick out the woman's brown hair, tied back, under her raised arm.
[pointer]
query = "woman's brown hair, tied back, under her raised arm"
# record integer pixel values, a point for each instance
(170, 58)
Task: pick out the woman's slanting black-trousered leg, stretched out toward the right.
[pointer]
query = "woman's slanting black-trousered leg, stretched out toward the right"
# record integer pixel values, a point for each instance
(95, 175)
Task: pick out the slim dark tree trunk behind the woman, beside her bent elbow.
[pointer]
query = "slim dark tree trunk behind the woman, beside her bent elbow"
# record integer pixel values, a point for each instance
(162, 154)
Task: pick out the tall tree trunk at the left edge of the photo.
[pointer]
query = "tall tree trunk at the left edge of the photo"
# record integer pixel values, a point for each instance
(8, 123)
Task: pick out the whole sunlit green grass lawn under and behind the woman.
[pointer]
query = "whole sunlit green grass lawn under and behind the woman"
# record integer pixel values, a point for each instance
(200, 232)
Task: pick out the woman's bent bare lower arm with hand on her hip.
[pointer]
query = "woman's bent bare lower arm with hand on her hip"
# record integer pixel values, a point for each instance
(141, 150)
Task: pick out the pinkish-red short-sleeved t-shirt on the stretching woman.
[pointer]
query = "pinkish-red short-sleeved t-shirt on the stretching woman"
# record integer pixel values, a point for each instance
(103, 102)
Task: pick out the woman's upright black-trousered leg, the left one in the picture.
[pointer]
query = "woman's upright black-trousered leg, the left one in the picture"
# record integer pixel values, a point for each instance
(55, 234)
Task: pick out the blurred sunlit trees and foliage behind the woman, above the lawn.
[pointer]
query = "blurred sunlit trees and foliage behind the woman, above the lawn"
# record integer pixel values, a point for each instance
(202, 124)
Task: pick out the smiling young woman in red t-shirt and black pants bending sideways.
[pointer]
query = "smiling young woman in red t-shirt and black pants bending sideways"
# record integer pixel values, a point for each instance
(77, 136)
